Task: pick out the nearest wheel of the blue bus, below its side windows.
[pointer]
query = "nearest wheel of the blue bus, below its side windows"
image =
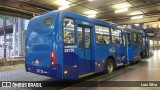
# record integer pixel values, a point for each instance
(109, 67)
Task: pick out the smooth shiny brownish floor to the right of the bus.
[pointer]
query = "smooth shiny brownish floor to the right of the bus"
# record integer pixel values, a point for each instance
(147, 70)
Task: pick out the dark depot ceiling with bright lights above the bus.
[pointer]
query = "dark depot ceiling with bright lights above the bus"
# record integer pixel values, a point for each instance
(102, 9)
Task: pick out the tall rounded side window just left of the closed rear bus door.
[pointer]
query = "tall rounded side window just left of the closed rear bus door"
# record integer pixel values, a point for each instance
(69, 31)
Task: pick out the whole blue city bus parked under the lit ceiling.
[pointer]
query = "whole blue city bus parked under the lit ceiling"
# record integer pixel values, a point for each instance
(66, 45)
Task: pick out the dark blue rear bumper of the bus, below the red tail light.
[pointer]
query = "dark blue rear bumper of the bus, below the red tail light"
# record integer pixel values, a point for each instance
(45, 71)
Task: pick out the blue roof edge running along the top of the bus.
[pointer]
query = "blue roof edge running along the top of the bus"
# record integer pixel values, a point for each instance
(92, 20)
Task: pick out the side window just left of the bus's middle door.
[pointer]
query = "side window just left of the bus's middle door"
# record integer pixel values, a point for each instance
(116, 36)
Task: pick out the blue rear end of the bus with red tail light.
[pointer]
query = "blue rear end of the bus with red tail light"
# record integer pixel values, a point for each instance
(40, 56)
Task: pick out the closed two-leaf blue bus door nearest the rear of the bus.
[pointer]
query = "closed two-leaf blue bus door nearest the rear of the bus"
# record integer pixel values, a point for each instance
(84, 49)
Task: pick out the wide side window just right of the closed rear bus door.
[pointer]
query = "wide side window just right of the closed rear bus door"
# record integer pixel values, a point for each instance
(102, 35)
